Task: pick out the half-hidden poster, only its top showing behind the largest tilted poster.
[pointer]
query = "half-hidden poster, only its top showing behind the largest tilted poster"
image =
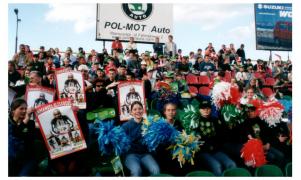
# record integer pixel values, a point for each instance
(38, 95)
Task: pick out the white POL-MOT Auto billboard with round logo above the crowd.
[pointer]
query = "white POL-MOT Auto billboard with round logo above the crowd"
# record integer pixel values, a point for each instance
(143, 21)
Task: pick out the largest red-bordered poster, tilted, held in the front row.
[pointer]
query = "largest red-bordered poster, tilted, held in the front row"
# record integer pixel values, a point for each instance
(60, 128)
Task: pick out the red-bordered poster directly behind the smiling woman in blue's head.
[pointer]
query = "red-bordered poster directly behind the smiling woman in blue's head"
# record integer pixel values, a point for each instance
(129, 92)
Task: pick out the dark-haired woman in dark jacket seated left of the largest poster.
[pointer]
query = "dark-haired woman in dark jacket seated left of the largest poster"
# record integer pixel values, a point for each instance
(20, 137)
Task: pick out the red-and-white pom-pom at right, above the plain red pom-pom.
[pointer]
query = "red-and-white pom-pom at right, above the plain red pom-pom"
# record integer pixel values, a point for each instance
(271, 112)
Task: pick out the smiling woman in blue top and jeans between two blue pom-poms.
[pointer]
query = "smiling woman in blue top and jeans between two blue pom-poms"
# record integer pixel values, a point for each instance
(138, 154)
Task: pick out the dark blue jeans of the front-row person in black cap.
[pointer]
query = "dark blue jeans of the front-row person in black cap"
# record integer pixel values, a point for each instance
(217, 162)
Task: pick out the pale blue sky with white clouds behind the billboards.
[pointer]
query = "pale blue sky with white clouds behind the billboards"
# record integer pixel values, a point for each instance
(195, 25)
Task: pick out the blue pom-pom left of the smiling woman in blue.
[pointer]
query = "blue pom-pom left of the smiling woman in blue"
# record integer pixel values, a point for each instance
(111, 139)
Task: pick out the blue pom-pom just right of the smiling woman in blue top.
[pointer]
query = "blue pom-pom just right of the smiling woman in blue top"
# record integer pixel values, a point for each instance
(159, 132)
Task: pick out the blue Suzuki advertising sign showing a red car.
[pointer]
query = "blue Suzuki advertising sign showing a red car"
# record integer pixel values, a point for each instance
(273, 24)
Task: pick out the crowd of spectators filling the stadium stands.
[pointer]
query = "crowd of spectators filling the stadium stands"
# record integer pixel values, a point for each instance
(186, 78)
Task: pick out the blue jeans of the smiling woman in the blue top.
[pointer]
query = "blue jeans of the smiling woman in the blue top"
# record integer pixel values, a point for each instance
(134, 161)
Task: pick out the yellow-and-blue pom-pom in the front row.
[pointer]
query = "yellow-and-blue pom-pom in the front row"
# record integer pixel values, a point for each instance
(185, 148)
